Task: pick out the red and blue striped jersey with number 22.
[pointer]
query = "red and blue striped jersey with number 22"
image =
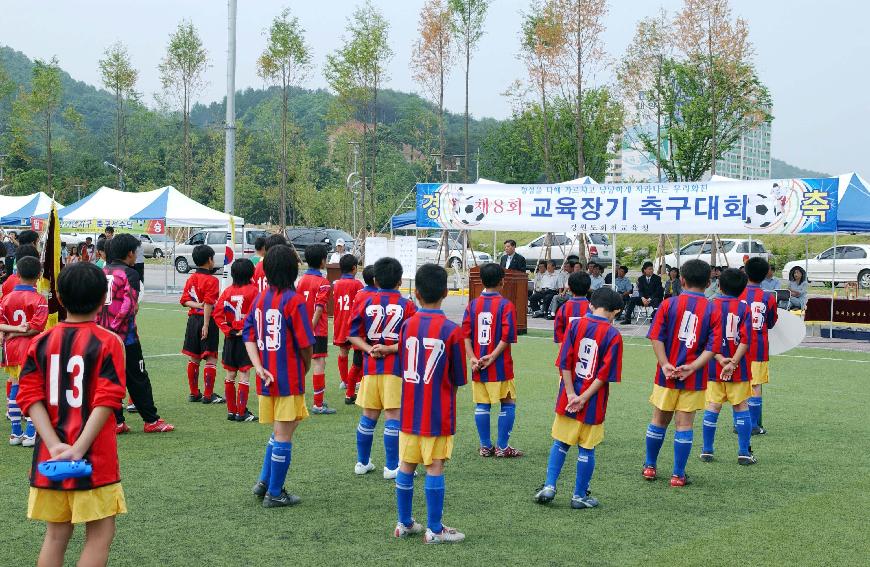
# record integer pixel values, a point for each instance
(377, 320)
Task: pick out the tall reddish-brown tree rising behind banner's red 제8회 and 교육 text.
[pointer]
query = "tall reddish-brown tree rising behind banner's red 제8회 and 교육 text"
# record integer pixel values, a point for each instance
(582, 25)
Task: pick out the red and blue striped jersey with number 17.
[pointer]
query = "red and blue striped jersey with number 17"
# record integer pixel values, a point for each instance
(432, 357)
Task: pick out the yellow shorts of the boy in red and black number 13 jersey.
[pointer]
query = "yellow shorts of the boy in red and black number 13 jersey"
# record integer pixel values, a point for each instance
(76, 506)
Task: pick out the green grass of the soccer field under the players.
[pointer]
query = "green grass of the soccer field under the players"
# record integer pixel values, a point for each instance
(189, 497)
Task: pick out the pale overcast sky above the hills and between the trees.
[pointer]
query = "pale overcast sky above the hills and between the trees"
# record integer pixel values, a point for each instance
(811, 54)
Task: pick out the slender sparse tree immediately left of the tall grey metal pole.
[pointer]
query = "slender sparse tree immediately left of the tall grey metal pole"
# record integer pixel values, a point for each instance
(181, 74)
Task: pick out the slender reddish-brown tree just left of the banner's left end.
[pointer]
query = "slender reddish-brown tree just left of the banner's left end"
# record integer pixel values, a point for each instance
(432, 57)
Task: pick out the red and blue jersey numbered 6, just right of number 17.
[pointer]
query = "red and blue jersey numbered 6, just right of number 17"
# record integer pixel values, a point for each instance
(489, 320)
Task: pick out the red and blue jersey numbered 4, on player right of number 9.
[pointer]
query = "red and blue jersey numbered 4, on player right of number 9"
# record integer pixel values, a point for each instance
(687, 325)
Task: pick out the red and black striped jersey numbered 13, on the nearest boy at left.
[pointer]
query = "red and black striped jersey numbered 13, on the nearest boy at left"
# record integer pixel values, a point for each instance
(72, 369)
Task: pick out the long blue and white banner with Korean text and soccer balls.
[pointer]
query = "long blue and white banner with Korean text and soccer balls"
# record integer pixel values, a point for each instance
(776, 206)
